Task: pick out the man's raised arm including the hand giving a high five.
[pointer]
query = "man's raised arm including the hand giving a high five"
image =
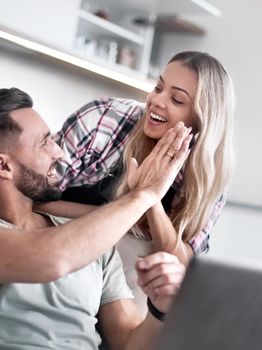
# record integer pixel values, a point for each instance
(47, 254)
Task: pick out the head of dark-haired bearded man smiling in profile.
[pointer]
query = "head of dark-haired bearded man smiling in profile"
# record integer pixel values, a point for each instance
(28, 155)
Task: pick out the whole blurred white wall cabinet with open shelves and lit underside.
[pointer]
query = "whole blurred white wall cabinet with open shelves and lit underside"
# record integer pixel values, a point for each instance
(101, 36)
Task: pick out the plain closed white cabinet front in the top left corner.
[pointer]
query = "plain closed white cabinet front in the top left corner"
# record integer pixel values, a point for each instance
(51, 22)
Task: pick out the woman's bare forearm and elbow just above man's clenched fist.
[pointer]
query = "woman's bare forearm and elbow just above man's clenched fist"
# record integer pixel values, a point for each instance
(165, 236)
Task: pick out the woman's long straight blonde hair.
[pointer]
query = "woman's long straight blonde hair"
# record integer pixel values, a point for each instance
(212, 158)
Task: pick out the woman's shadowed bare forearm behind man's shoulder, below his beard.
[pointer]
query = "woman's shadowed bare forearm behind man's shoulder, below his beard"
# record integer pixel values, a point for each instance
(65, 209)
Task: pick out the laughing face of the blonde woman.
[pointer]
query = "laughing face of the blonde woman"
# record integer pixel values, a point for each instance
(171, 100)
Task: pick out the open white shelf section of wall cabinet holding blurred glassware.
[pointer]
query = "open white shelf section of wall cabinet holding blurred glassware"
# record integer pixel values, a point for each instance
(108, 35)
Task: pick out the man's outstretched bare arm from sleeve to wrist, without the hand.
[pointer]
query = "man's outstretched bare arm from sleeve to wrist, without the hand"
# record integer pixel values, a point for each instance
(47, 254)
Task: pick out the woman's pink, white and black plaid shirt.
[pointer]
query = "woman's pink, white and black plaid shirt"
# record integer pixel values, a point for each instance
(93, 139)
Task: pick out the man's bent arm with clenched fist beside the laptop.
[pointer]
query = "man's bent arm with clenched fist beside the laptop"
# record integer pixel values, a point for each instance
(160, 277)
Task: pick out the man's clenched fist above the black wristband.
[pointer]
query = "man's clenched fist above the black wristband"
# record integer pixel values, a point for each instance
(160, 276)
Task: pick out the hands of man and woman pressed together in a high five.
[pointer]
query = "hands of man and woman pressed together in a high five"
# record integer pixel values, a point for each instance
(160, 168)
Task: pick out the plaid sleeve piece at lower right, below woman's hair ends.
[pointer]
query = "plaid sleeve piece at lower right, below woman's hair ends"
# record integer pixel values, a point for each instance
(200, 242)
